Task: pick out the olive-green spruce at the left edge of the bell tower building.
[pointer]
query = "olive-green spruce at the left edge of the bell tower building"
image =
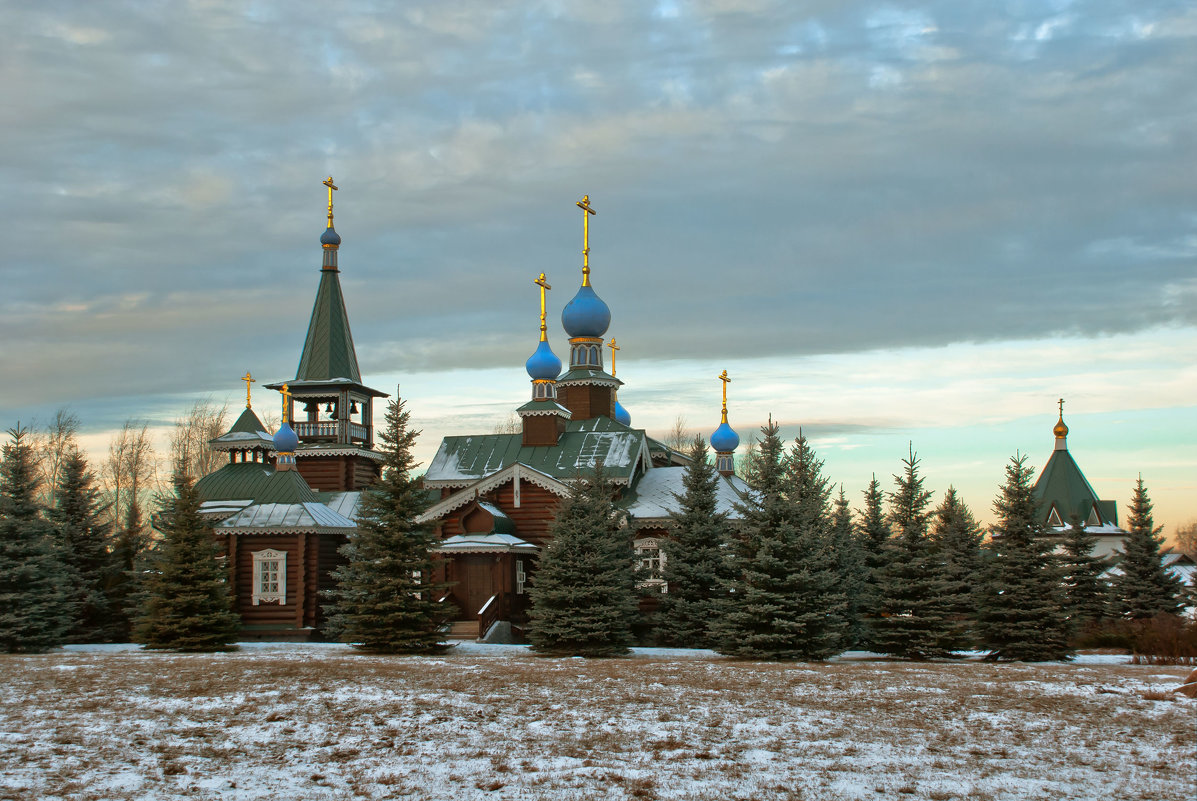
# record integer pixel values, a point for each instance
(186, 606)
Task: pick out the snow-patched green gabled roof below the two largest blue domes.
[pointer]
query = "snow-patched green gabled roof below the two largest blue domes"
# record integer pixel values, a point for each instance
(461, 462)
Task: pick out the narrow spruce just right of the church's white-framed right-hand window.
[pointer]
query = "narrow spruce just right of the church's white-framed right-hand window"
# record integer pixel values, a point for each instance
(696, 566)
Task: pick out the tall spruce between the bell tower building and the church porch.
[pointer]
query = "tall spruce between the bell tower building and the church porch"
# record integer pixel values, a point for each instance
(386, 600)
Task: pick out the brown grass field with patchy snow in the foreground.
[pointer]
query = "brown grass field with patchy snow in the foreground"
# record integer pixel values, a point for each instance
(306, 723)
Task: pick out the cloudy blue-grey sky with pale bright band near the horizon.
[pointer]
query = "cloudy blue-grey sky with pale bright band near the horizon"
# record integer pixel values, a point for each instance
(892, 223)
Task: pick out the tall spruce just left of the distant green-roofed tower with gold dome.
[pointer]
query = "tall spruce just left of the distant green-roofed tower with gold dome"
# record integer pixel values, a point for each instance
(1022, 614)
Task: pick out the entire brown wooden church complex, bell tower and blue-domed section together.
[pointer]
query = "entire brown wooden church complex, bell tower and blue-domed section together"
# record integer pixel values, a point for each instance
(284, 503)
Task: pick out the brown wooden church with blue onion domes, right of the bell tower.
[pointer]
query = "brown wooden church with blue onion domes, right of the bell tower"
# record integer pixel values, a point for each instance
(500, 493)
